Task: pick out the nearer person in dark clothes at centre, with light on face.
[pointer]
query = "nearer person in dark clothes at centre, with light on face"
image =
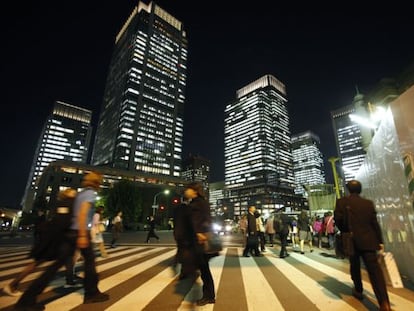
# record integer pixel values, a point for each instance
(201, 223)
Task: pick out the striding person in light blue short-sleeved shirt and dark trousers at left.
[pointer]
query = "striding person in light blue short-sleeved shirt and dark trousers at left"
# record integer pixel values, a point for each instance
(78, 236)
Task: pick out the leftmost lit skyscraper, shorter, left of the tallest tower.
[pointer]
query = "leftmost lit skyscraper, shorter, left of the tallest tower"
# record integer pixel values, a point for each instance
(65, 136)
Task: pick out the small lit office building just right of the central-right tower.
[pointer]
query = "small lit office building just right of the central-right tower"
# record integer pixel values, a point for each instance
(308, 167)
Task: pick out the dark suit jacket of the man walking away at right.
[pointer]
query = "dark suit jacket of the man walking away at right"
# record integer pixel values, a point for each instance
(362, 221)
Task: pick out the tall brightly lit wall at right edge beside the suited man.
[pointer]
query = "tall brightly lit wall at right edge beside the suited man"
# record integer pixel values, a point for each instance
(387, 178)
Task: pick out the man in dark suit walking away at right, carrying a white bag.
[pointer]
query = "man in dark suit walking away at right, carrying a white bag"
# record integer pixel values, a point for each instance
(362, 221)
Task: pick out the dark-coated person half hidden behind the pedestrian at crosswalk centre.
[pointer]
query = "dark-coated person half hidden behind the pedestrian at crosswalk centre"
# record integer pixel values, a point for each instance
(184, 236)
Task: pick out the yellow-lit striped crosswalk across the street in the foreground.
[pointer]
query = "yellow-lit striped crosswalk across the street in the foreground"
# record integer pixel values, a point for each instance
(140, 277)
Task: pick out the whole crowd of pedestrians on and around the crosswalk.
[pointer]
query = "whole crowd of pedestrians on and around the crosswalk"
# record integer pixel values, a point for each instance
(77, 225)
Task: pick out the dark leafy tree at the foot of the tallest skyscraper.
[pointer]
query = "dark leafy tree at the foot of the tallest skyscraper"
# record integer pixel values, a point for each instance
(125, 196)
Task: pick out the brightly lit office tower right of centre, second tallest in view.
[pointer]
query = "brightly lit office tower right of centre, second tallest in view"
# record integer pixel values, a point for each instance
(258, 158)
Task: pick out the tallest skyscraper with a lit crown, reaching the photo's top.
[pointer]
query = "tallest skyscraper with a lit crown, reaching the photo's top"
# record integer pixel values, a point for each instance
(141, 120)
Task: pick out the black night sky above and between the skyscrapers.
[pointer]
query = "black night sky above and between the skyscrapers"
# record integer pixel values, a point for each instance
(60, 50)
